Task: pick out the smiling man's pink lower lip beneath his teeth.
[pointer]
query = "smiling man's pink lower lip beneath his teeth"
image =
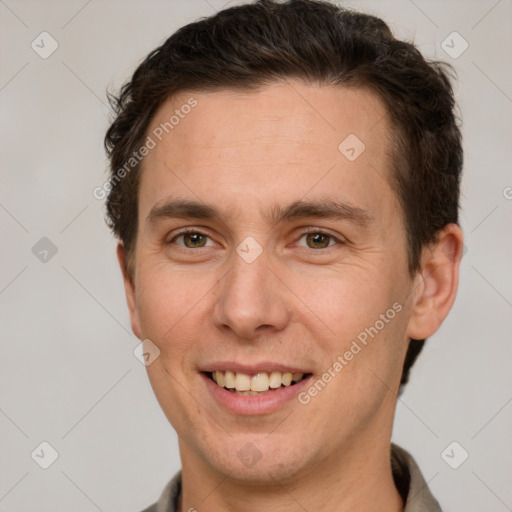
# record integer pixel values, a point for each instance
(265, 403)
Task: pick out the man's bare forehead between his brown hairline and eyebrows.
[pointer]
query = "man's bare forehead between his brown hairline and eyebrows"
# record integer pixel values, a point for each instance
(280, 142)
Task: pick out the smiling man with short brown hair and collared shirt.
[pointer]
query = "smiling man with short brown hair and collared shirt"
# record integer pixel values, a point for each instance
(284, 187)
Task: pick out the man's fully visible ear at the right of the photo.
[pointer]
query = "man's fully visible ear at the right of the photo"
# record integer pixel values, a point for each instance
(437, 283)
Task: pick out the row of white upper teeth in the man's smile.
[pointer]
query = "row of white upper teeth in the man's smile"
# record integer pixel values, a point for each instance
(259, 382)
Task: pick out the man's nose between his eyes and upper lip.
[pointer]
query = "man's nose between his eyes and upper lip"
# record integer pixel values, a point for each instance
(252, 299)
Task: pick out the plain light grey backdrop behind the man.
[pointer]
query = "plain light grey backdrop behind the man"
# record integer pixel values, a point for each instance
(68, 373)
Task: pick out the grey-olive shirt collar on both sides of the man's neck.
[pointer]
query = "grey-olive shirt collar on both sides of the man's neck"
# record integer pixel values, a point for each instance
(407, 476)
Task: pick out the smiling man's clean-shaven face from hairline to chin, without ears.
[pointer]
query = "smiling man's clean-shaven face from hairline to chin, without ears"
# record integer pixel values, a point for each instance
(295, 260)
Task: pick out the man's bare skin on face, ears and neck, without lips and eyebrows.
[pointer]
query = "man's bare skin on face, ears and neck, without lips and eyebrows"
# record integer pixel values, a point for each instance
(300, 302)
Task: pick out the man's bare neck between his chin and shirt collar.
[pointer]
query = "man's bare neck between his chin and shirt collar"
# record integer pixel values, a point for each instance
(343, 482)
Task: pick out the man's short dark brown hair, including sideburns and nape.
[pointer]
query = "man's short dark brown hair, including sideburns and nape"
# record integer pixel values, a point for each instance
(249, 46)
